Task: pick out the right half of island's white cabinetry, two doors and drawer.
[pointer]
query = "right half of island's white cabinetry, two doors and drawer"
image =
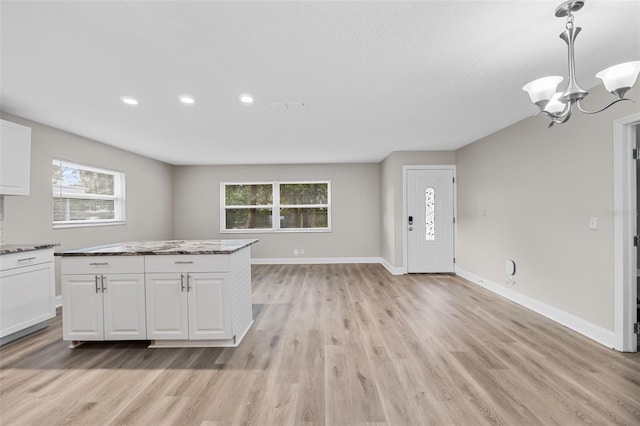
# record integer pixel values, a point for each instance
(183, 304)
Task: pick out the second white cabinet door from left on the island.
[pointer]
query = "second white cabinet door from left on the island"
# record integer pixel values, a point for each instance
(124, 307)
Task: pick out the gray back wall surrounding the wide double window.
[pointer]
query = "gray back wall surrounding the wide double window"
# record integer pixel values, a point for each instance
(355, 199)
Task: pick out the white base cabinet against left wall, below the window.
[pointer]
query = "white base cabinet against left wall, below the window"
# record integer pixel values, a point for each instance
(27, 291)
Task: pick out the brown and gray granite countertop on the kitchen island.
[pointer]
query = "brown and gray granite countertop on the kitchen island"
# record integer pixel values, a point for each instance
(144, 248)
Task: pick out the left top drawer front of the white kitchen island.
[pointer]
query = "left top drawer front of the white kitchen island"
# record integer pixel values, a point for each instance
(102, 265)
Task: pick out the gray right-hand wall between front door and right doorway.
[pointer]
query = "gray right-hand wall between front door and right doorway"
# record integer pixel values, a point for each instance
(526, 193)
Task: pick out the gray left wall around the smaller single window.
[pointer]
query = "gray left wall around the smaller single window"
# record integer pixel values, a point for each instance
(148, 191)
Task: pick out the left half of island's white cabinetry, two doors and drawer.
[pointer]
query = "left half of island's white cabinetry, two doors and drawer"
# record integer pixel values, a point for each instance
(103, 299)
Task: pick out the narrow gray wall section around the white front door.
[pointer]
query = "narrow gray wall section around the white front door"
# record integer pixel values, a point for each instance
(392, 221)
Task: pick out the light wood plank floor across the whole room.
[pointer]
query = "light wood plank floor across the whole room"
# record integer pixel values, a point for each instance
(335, 345)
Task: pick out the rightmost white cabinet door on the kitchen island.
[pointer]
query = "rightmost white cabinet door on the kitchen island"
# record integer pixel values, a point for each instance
(209, 315)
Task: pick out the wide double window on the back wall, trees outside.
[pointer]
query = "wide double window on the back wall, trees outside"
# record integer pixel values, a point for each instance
(298, 206)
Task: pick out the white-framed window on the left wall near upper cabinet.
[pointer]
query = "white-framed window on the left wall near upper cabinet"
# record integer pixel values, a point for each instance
(85, 195)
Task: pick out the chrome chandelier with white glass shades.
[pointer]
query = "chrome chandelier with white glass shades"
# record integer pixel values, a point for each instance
(558, 106)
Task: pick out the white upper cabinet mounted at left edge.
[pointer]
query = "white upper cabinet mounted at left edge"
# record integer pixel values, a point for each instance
(15, 159)
